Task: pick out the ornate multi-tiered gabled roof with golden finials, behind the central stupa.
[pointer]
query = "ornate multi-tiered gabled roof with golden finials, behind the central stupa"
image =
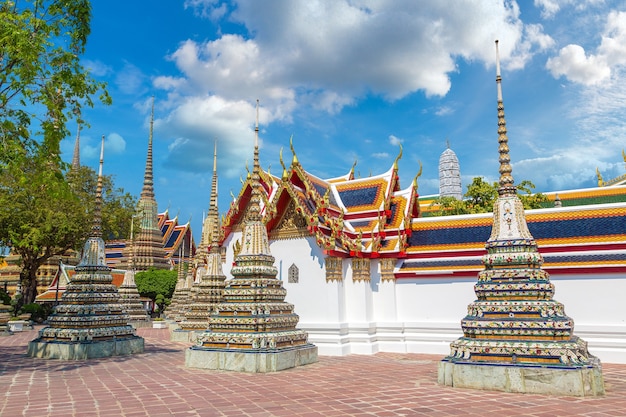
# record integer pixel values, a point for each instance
(348, 216)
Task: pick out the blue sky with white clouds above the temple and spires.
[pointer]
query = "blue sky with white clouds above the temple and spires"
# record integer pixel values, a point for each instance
(352, 80)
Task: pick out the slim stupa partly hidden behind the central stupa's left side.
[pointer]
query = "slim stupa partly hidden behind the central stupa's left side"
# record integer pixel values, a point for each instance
(209, 291)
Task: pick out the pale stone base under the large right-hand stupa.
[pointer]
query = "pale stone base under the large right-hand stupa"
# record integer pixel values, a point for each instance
(574, 381)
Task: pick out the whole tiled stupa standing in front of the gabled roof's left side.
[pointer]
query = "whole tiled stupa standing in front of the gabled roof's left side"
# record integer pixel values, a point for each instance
(253, 329)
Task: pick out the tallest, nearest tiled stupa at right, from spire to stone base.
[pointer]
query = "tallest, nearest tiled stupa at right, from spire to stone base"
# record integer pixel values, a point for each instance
(516, 338)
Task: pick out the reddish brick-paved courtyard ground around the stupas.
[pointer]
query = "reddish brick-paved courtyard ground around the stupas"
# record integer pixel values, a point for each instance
(157, 383)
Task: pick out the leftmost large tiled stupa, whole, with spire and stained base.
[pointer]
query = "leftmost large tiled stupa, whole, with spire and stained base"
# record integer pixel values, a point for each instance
(90, 321)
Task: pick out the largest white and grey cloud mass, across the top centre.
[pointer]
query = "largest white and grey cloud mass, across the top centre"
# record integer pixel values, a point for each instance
(326, 55)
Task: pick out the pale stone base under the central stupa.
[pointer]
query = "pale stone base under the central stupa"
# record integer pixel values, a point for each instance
(257, 361)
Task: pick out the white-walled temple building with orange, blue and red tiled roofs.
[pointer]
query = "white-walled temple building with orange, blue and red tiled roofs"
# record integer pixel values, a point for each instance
(370, 268)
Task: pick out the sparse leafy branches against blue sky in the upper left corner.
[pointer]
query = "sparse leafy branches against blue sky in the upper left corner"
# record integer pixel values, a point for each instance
(42, 83)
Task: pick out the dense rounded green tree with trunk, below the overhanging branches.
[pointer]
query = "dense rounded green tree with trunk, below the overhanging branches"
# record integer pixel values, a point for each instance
(40, 217)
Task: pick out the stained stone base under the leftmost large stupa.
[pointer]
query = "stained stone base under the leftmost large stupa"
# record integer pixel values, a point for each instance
(85, 350)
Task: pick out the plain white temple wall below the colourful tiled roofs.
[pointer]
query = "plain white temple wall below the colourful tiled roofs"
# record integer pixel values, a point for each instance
(423, 315)
